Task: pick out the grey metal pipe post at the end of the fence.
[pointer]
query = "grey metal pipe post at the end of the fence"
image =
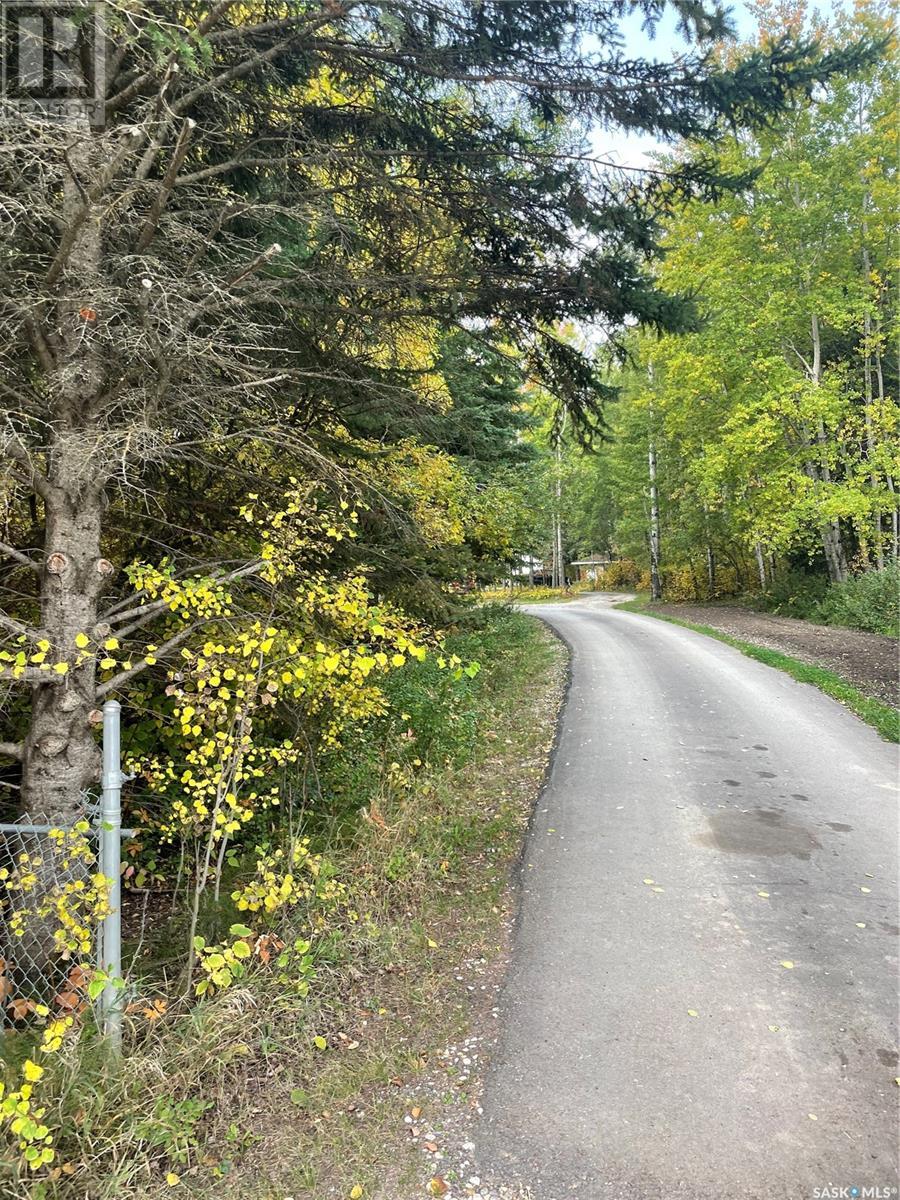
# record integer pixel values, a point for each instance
(111, 820)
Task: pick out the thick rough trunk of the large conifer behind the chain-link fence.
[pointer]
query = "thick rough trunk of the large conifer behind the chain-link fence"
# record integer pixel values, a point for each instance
(61, 758)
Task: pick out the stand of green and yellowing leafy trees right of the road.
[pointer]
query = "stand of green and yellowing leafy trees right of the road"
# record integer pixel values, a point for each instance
(772, 429)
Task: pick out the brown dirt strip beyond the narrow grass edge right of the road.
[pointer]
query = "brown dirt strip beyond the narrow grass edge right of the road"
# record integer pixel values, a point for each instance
(867, 661)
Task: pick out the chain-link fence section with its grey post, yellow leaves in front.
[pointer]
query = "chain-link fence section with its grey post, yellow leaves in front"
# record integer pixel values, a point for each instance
(61, 905)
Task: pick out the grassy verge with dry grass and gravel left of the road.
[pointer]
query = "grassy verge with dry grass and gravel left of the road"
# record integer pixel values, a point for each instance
(261, 1093)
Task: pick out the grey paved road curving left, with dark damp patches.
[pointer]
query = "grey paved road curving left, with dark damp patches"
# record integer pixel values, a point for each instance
(707, 821)
